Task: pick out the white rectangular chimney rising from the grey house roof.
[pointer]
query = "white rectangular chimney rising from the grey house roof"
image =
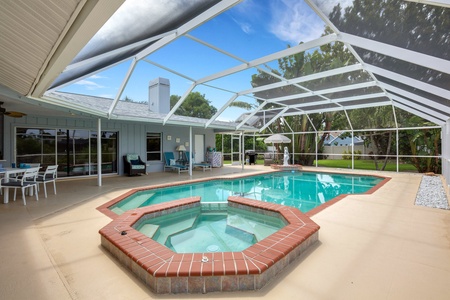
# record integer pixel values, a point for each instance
(159, 95)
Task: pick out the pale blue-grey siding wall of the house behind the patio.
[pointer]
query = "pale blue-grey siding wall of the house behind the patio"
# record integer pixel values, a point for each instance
(131, 135)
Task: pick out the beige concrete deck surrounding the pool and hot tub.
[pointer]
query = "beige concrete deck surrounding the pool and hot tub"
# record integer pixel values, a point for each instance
(377, 246)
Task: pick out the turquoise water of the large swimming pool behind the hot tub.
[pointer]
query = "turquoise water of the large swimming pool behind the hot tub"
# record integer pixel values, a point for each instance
(302, 190)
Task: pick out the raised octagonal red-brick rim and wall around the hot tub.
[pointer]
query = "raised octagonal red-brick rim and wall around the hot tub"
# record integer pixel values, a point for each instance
(165, 271)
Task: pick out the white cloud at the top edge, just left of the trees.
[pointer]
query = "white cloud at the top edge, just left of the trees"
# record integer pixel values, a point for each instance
(294, 21)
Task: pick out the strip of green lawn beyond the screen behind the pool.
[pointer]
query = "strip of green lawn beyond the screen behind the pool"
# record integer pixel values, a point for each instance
(364, 165)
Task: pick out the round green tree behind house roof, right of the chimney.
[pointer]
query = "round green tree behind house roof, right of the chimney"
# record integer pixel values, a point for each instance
(195, 105)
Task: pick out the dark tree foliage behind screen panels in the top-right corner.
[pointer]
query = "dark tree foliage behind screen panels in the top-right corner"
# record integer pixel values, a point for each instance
(418, 27)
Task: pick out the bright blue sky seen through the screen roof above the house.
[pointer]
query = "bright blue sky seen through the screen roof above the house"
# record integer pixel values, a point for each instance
(250, 30)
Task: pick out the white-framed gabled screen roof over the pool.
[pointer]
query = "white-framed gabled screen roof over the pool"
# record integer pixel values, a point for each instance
(281, 58)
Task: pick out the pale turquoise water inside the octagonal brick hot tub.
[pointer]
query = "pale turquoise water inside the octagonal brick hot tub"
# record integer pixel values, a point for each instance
(197, 230)
